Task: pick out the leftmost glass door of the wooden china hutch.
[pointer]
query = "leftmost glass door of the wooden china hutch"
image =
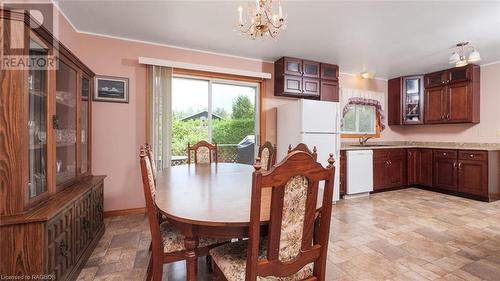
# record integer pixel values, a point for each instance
(37, 123)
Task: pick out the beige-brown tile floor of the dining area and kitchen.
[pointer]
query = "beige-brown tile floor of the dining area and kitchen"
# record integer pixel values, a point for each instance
(410, 234)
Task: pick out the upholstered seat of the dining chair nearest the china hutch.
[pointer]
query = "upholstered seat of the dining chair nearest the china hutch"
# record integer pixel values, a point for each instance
(173, 240)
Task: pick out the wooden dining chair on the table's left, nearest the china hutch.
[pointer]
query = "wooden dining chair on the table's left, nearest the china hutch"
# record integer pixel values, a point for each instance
(167, 242)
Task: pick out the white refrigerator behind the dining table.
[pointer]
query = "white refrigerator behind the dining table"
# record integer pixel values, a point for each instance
(315, 123)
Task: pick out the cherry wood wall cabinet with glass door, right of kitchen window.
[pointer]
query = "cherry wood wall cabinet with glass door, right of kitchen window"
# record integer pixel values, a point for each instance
(447, 96)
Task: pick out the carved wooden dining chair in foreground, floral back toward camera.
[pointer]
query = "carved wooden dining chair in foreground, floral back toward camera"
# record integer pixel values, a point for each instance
(289, 252)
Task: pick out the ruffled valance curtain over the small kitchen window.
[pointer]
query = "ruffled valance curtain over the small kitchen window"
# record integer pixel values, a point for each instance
(351, 97)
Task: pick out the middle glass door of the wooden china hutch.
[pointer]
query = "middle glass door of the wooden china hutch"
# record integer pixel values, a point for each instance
(65, 122)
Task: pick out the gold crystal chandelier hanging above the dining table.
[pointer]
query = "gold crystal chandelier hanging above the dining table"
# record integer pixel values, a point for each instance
(262, 21)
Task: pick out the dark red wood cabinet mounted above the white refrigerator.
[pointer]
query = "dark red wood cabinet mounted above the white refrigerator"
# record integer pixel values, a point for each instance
(306, 79)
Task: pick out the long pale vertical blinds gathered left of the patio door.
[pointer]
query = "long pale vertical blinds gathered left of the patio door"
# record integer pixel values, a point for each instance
(160, 113)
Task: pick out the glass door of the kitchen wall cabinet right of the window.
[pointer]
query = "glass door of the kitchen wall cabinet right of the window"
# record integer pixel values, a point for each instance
(413, 98)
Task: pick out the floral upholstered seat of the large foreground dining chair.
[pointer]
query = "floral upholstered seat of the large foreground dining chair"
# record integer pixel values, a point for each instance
(232, 260)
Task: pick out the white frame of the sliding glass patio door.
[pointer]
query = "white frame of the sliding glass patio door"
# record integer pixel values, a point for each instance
(228, 82)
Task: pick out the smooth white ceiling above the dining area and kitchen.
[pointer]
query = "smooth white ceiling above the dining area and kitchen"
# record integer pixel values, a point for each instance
(392, 38)
